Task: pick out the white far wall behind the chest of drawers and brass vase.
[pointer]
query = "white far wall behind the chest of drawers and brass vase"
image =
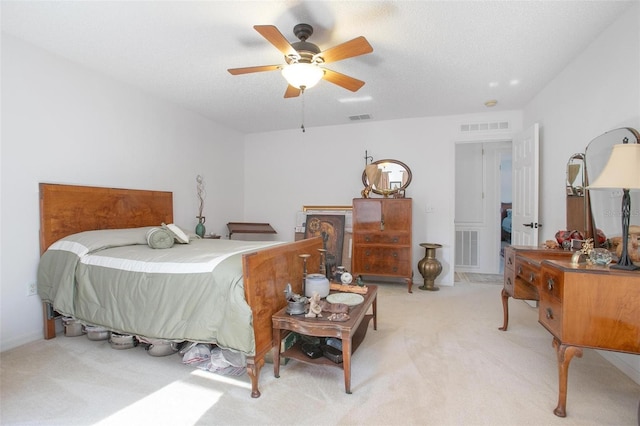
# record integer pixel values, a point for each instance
(324, 167)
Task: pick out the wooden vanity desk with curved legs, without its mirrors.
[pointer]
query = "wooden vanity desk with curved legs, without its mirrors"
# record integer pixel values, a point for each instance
(581, 305)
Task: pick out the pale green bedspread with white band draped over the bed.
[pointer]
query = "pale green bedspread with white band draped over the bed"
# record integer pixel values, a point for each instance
(188, 292)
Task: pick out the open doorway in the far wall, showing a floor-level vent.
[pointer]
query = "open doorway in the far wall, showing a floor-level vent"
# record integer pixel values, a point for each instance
(482, 212)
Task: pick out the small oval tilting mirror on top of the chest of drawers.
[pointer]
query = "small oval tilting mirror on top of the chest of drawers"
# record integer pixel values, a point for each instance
(387, 177)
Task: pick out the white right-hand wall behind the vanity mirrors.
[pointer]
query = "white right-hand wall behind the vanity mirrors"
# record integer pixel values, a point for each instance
(599, 91)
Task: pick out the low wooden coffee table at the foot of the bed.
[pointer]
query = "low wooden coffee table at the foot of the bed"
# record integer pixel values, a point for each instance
(352, 333)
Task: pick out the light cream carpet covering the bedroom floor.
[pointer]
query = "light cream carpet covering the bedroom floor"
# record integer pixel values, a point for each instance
(437, 358)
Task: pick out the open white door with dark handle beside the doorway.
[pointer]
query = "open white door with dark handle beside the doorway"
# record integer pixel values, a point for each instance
(524, 226)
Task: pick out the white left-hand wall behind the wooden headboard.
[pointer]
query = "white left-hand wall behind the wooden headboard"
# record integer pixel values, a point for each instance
(64, 124)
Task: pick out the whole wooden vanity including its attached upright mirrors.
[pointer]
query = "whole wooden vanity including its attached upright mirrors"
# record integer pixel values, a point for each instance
(582, 305)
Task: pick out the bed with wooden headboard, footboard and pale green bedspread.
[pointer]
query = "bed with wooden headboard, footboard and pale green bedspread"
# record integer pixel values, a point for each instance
(261, 273)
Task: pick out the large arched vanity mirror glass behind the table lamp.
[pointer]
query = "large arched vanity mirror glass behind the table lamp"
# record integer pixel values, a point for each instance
(606, 205)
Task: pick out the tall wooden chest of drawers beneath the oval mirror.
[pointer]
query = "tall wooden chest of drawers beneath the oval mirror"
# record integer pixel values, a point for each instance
(382, 238)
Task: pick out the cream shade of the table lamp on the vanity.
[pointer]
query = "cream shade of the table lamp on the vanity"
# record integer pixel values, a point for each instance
(622, 169)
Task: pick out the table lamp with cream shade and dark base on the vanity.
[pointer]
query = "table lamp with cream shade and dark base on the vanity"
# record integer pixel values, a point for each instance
(622, 171)
